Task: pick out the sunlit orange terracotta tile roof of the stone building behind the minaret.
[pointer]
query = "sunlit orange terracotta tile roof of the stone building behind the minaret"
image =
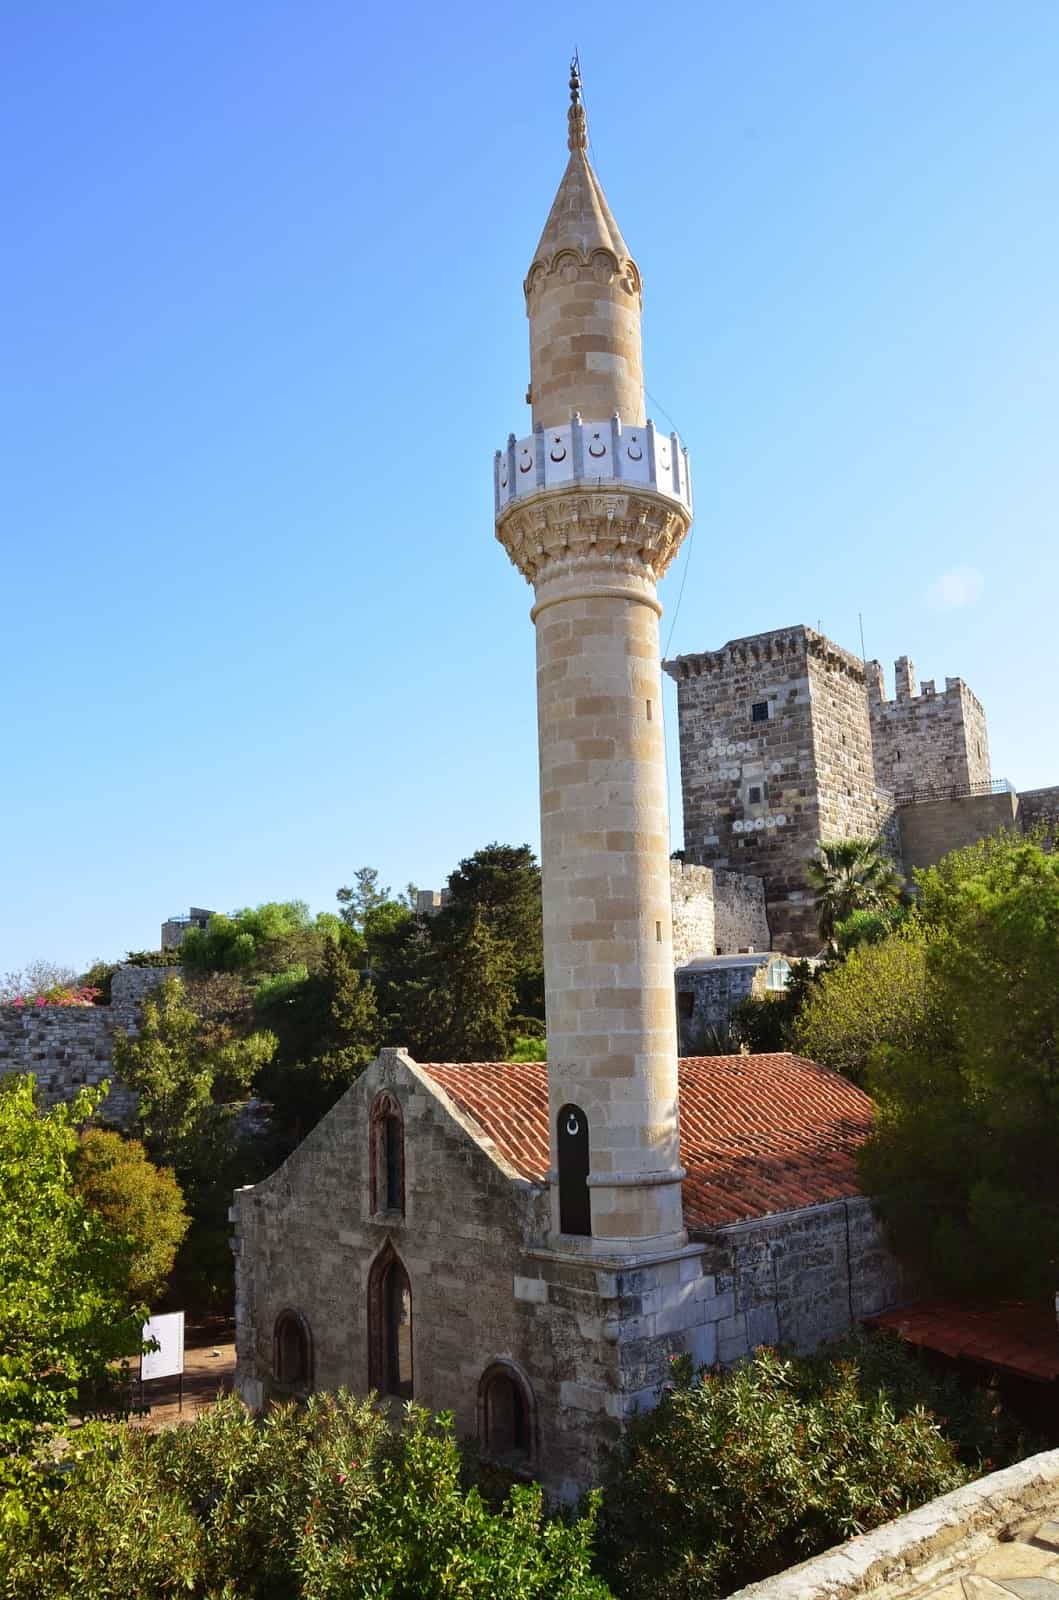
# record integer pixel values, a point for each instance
(757, 1134)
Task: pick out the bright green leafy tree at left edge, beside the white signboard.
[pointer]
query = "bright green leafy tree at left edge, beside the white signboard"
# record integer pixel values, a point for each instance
(65, 1278)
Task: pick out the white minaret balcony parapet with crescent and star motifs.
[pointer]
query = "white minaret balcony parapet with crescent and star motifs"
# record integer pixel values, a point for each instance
(593, 455)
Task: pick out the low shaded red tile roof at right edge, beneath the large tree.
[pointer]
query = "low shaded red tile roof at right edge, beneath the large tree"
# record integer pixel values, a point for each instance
(1013, 1337)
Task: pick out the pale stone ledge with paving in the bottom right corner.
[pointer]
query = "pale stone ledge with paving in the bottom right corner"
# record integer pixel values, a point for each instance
(938, 1538)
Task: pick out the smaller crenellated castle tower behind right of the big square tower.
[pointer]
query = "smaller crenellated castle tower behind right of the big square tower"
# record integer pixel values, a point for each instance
(927, 742)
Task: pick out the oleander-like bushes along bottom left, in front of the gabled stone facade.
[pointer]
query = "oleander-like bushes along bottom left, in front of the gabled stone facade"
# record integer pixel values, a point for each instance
(316, 1503)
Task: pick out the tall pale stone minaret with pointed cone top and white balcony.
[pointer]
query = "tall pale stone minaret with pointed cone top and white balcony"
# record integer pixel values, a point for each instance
(593, 508)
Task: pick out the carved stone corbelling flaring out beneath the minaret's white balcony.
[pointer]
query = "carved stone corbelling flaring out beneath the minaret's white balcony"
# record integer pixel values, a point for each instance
(561, 530)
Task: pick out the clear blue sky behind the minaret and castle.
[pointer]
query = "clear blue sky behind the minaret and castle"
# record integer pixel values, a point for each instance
(263, 329)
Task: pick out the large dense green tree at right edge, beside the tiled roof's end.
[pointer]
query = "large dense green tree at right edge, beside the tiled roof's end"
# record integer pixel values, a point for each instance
(964, 1159)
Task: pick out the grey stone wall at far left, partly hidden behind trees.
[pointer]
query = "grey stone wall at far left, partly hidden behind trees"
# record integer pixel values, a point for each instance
(73, 1047)
